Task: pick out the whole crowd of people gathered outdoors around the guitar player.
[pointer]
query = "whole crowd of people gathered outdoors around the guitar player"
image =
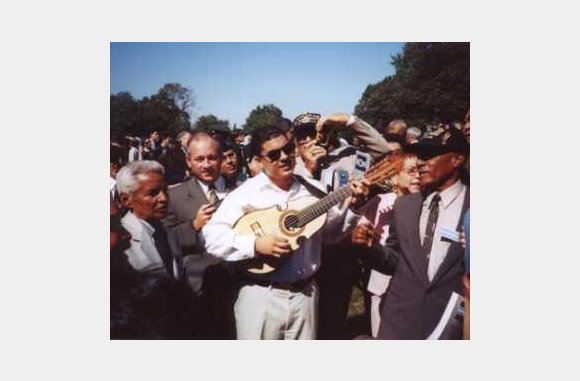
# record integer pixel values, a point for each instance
(179, 263)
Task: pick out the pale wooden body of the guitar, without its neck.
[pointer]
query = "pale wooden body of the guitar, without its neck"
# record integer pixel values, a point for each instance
(270, 221)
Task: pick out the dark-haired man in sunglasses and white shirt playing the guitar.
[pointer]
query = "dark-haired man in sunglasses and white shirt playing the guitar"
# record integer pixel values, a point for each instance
(281, 304)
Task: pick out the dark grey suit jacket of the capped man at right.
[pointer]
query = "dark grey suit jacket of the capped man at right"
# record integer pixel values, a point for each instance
(413, 305)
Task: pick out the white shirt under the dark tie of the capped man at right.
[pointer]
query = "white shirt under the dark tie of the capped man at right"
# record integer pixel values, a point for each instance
(450, 207)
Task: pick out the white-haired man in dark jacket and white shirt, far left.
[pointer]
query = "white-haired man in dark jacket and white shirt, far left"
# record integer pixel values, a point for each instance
(149, 297)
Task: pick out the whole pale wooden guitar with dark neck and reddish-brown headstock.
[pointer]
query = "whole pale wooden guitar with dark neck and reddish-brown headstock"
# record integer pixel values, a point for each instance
(300, 218)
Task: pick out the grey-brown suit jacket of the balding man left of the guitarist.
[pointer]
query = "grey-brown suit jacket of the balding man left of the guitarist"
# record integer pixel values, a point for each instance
(184, 202)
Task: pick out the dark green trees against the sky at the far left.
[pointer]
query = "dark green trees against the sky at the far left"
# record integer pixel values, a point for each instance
(166, 111)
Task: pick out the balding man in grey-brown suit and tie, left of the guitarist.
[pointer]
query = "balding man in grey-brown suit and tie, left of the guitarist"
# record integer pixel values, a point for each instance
(191, 205)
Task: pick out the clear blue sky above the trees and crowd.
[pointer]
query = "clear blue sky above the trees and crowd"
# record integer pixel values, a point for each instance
(230, 79)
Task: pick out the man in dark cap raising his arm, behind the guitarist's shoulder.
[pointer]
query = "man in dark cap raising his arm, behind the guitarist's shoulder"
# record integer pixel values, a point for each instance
(322, 157)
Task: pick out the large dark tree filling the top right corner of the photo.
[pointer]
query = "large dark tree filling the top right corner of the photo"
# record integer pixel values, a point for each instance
(431, 82)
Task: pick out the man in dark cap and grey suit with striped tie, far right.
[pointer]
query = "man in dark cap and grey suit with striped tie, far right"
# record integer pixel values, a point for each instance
(429, 260)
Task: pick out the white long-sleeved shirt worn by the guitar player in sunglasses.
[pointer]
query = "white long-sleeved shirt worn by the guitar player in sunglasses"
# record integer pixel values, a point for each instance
(260, 193)
